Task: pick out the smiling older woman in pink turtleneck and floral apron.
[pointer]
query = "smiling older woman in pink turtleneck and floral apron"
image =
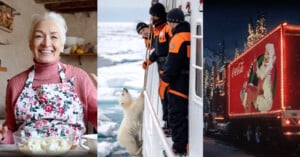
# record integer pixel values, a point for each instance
(49, 98)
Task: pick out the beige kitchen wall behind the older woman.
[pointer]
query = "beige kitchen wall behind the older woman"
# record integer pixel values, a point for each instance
(15, 54)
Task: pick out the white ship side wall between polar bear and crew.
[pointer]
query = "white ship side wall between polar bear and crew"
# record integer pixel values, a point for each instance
(155, 143)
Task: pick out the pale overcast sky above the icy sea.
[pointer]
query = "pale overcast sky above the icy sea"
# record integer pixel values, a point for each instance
(123, 10)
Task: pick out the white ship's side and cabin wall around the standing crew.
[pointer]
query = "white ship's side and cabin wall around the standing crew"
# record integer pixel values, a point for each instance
(155, 144)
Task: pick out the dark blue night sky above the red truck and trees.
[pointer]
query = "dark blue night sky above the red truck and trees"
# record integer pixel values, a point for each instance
(228, 20)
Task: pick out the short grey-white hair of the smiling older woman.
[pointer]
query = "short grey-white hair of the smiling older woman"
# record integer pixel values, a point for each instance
(57, 18)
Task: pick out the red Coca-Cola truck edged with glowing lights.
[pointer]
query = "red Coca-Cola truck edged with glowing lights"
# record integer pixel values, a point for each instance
(262, 100)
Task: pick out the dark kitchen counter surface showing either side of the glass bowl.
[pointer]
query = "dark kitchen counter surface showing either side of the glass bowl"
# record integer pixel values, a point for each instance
(7, 150)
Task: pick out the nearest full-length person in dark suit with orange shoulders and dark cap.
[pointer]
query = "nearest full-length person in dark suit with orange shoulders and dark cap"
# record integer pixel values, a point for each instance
(175, 80)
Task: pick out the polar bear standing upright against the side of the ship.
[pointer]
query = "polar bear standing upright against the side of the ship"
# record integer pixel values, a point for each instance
(130, 131)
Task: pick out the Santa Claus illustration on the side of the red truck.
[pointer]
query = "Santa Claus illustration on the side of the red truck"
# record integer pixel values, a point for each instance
(257, 92)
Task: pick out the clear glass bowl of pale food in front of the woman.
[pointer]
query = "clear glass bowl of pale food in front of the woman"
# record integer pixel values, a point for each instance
(44, 146)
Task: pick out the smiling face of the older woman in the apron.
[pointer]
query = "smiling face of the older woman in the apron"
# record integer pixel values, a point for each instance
(46, 42)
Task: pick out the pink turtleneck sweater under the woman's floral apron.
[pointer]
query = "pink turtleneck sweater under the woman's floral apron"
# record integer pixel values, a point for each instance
(45, 74)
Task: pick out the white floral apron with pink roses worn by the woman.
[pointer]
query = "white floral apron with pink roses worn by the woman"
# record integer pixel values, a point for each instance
(52, 109)
